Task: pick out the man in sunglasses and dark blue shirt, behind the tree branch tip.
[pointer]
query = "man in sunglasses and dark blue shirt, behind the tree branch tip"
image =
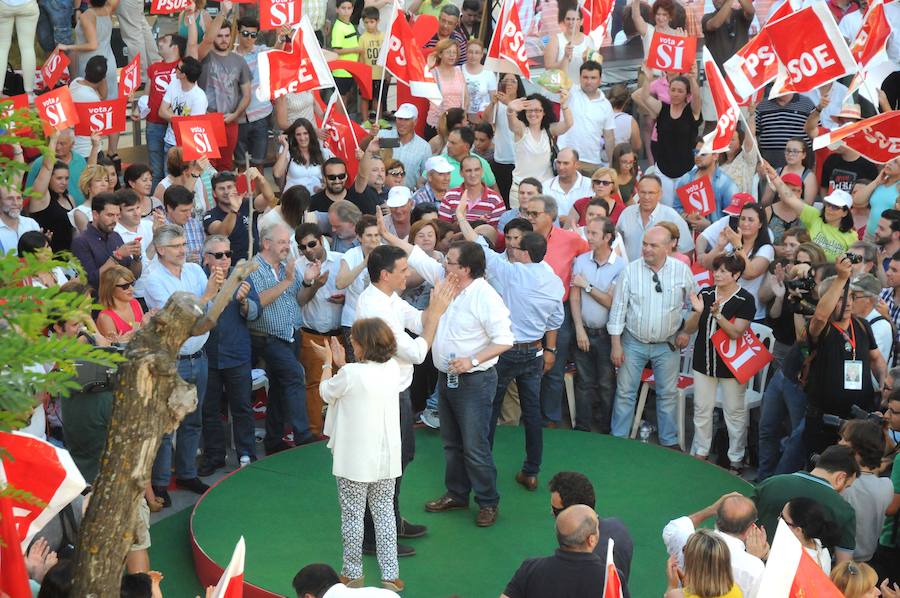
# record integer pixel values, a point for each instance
(228, 352)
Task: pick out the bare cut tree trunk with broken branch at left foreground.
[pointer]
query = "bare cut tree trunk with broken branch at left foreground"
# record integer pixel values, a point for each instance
(150, 401)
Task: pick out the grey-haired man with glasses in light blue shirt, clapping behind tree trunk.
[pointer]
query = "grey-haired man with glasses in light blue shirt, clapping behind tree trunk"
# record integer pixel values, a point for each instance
(173, 274)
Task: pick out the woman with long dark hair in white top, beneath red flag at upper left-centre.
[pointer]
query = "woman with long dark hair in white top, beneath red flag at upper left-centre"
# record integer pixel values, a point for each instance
(301, 157)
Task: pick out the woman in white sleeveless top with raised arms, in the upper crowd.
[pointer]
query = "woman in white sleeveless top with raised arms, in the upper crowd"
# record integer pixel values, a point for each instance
(535, 129)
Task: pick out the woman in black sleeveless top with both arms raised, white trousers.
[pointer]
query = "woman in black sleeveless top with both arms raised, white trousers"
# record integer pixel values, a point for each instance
(676, 126)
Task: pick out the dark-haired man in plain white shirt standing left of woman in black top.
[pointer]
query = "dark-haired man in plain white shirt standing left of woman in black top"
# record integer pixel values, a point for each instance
(593, 131)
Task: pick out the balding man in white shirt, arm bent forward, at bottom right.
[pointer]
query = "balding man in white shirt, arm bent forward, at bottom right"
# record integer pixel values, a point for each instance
(736, 525)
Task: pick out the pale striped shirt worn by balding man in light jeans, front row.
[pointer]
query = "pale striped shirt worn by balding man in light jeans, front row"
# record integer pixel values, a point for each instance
(650, 311)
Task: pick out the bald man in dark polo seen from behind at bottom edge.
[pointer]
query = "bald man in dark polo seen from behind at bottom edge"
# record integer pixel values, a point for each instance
(574, 570)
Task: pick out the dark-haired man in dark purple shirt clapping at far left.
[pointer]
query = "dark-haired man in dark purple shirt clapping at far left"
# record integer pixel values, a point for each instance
(99, 247)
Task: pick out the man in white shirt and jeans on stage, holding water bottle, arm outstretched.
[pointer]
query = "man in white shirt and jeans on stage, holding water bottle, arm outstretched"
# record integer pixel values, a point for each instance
(471, 335)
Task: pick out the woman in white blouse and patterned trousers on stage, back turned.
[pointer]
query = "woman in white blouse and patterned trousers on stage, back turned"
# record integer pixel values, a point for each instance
(363, 429)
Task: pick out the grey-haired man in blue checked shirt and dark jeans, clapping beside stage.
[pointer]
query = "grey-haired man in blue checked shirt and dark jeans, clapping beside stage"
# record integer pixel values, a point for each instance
(272, 337)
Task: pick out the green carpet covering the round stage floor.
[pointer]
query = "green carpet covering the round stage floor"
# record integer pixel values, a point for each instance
(286, 508)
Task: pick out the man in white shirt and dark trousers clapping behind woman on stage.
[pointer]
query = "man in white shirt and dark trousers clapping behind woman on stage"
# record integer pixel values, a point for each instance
(388, 271)
